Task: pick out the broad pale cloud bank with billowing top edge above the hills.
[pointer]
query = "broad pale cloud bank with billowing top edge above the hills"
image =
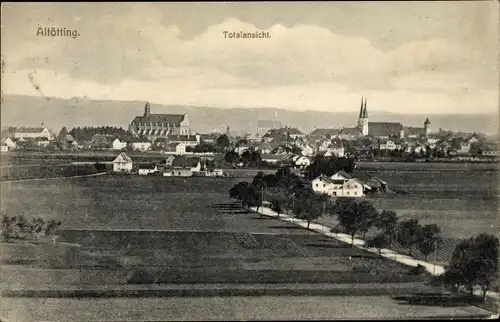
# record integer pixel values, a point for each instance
(129, 52)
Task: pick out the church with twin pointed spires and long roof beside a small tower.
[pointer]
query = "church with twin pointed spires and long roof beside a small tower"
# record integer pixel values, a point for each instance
(384, 129)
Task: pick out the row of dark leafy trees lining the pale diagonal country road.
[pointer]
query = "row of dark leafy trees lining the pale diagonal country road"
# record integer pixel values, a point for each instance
(474, 261)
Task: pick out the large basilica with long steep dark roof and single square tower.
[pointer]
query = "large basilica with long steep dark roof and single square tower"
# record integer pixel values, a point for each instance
(159, 125)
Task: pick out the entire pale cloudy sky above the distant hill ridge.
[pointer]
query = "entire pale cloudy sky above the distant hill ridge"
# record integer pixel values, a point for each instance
(410, 57)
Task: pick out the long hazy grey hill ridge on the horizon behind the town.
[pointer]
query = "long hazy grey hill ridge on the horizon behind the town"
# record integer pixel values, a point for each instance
(56, 113)
